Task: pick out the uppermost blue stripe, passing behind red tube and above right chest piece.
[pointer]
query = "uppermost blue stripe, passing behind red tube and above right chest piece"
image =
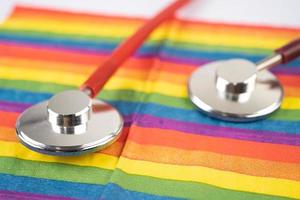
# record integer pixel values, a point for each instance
(166, 49)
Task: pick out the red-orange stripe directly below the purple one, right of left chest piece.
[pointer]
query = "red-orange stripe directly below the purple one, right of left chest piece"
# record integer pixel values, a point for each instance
(177, 139)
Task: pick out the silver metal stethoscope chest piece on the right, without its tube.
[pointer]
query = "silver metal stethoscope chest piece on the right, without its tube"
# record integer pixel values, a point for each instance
(234, 90)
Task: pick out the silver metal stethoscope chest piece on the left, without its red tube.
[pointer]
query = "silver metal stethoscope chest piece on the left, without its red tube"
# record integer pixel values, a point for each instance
(70, 123)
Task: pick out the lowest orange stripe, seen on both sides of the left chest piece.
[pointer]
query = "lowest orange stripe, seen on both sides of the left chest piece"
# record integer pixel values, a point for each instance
(170, 155)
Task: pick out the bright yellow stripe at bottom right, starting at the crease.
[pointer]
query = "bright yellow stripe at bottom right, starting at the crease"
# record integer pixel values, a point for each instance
(224, 179)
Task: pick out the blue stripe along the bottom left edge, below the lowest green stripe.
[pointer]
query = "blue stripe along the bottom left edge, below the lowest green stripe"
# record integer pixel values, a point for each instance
(70, 189)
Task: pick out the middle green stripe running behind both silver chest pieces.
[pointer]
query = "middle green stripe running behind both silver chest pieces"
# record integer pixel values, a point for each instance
(130, 96)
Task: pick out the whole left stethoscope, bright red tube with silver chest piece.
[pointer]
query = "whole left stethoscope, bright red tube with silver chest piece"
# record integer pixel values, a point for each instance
(73, 122)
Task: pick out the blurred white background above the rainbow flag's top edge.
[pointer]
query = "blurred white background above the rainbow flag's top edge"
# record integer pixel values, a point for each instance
(266, 12)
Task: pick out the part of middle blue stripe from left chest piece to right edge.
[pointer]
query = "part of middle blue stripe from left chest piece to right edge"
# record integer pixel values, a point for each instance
(127, 108)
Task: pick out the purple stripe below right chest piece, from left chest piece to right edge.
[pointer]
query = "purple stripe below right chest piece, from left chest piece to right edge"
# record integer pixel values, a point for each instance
(215, 131)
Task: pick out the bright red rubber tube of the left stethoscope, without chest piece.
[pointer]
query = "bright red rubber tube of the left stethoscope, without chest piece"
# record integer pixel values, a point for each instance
(97, 80)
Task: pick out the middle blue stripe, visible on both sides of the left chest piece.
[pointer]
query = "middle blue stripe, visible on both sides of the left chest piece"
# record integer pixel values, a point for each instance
(129, 108)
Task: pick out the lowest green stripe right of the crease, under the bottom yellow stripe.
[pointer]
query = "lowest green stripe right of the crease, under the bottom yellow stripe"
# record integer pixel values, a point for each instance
(181, 189)
